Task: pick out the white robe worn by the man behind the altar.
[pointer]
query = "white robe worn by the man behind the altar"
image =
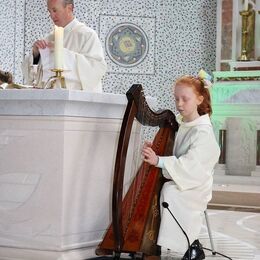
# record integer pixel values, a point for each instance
(84, 62)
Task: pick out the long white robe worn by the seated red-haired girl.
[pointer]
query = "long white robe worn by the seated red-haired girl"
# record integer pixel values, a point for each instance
(190, 169)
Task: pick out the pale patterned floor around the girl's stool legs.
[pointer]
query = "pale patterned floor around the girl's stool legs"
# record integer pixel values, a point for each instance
(235, 234)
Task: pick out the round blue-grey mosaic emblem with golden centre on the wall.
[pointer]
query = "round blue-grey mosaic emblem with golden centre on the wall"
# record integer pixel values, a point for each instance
(127, 45)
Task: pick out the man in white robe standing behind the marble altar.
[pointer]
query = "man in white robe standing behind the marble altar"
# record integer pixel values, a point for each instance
(83, 60)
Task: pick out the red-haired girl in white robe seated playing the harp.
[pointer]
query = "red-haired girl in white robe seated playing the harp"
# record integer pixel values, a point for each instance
(190, 169)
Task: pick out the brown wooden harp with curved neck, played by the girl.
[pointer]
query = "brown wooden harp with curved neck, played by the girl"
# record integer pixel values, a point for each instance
(136, 217)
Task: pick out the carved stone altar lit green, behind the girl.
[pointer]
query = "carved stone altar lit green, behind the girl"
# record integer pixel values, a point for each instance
(236, 121)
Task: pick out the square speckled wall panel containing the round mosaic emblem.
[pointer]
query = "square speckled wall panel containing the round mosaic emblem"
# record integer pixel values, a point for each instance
(129, 43)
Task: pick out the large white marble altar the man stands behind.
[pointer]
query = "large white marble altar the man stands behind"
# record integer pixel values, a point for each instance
(57, 150)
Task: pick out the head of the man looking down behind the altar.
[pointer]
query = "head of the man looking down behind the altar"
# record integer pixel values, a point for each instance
(61, 13)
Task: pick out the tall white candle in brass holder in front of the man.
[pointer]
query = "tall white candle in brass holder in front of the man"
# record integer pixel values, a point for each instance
(58, 47)
